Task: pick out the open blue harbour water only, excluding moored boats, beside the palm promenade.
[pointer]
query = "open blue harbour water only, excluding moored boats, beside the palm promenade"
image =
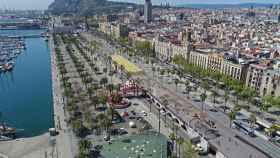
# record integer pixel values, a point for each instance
(25, 92)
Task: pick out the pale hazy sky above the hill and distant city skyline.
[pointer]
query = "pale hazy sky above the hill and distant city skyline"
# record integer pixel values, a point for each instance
(42, 4)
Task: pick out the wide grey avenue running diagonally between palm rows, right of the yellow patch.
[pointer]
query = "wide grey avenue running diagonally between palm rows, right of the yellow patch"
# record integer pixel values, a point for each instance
(227, 143)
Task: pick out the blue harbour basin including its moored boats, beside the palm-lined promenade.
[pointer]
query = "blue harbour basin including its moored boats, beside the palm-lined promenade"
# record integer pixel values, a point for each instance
(25, 84)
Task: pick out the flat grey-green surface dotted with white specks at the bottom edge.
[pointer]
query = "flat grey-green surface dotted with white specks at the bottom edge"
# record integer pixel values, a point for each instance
(148, 145)
